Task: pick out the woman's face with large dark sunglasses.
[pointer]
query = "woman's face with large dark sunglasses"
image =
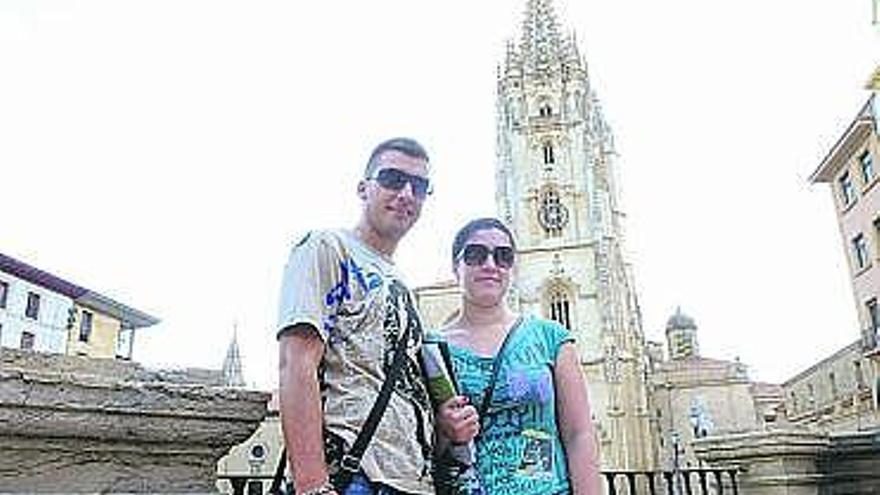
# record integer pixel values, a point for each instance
(484, 266)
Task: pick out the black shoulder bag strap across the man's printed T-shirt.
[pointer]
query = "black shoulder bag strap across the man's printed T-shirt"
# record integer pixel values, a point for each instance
(351, 460)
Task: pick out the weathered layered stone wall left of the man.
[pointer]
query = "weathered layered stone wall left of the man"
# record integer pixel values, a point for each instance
(70, 424)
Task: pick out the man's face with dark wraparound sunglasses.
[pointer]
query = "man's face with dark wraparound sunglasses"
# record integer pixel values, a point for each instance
(393, 199)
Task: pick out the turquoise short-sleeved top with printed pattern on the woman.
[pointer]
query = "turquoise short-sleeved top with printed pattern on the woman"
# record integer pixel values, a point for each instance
(519, 450)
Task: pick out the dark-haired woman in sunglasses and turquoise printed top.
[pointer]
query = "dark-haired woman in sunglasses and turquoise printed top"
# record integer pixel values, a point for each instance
(535, 432)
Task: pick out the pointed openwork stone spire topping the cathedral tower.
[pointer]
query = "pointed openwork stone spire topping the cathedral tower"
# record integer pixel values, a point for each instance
(541, 46)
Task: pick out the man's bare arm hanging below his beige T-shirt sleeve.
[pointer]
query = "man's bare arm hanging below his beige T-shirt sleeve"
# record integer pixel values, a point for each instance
(300, 351)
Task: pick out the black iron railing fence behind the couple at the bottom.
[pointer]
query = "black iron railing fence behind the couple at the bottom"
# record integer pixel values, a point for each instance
(684, 482)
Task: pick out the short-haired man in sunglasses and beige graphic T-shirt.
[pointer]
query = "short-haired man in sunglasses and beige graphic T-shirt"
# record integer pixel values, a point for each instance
(344, 310)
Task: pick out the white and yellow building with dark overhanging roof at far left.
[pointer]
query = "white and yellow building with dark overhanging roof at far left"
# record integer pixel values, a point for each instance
(45, 313)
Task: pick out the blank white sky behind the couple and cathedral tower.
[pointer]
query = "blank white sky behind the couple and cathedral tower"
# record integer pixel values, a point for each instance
(165, 153)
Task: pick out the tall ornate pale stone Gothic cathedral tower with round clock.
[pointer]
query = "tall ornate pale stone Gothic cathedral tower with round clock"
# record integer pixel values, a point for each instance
(556, 187)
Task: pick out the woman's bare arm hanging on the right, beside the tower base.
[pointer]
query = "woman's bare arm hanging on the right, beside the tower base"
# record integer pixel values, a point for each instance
(575, 423)
